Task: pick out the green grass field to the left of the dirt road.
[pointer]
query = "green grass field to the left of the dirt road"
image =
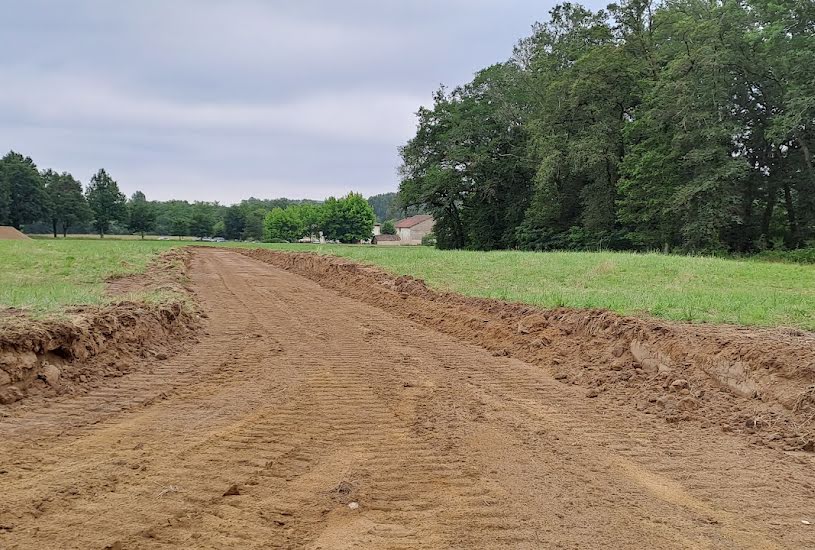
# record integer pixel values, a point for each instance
(43, 277)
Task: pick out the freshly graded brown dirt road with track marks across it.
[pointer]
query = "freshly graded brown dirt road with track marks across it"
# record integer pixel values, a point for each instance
(304, 419)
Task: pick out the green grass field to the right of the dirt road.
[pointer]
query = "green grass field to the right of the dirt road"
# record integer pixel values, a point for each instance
(681, 288)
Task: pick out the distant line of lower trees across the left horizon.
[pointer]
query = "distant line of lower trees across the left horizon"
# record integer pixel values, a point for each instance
(47, 201)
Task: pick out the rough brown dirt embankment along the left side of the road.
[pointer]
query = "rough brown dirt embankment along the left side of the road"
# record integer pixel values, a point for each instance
(58, 356)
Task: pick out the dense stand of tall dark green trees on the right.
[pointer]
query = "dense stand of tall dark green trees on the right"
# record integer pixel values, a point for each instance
(682, 125)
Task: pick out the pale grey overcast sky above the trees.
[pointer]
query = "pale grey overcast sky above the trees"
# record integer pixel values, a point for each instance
(226, 99)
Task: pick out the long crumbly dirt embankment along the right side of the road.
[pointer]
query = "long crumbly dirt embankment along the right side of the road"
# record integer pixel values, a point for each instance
(754, 381)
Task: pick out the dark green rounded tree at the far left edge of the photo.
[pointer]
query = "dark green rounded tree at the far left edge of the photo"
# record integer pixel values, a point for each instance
(22, 193)
